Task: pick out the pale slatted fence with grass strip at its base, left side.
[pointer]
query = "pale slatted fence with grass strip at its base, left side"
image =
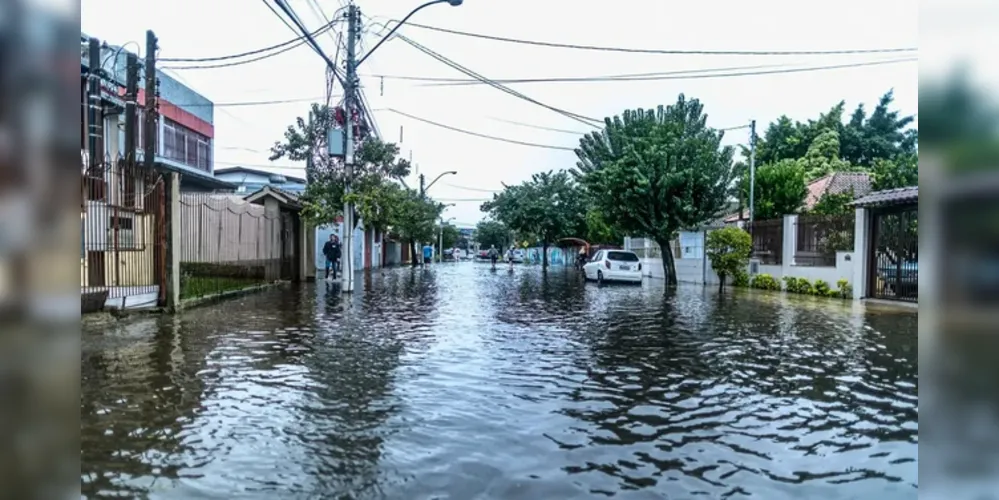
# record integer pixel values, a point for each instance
(228, 244)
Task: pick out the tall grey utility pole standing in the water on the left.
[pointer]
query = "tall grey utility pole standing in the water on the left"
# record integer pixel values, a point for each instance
(347, 280)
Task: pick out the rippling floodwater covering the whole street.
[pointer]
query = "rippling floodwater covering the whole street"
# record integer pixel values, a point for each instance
(457, 382)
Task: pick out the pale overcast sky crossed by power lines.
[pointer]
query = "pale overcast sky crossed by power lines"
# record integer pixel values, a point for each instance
(243, 134)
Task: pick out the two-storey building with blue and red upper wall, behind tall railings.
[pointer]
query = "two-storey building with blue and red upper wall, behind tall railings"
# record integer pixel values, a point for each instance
(123, 241)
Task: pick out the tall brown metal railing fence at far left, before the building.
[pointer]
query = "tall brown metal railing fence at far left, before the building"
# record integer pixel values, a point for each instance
(122, 255)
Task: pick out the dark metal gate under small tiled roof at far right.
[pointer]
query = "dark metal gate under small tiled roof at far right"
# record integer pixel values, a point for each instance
(894, 254)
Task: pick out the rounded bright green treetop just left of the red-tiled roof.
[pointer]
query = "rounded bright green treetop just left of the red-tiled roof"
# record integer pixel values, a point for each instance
(780, 189)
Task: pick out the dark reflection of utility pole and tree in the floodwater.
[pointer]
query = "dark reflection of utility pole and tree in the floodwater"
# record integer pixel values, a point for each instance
(354, 366)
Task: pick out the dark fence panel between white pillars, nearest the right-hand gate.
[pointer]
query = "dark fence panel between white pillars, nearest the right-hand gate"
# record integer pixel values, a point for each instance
(819, 237)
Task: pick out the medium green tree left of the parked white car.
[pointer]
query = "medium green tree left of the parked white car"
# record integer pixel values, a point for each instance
(548, 206)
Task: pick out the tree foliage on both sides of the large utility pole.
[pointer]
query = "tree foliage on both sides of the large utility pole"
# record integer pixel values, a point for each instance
(323, 199)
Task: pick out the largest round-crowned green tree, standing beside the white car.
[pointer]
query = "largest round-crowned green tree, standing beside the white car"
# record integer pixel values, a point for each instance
(673, 173)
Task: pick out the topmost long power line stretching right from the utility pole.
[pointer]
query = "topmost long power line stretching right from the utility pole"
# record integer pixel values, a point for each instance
(662, 51)
